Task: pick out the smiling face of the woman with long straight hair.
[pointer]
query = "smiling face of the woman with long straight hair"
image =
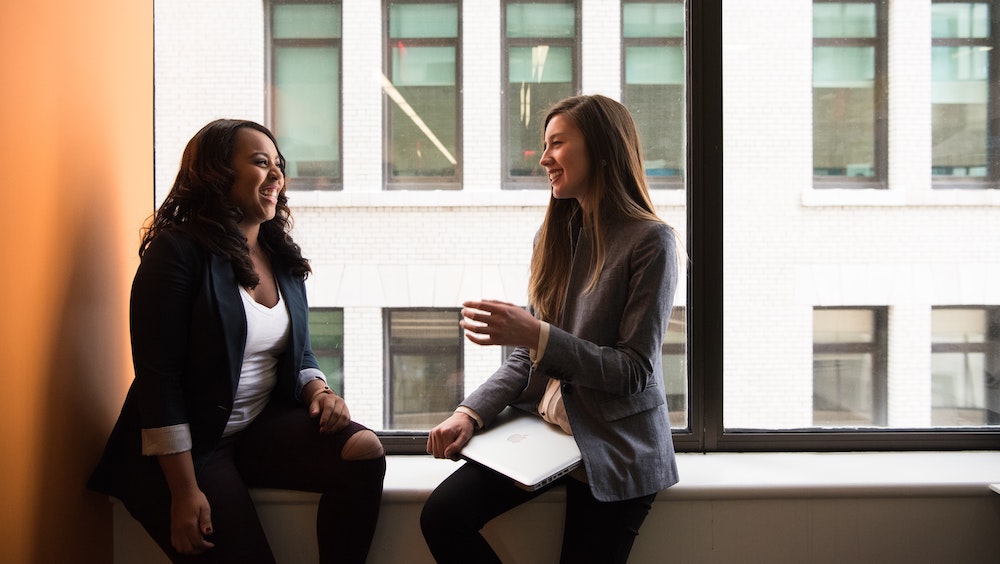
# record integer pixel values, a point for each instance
(565, 159)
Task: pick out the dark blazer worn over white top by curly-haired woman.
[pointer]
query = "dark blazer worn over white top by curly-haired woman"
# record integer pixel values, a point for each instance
(188, 333)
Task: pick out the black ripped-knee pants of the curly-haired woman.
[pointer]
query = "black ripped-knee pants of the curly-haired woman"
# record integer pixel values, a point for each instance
(282, 449)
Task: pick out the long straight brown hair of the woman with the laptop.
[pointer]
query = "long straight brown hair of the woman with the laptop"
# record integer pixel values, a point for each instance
(618, 189)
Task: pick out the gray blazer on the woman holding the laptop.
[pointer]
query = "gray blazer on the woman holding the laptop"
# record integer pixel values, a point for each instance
(606, 352)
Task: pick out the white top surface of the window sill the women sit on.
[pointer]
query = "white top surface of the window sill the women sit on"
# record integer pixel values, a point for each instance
(716, 476)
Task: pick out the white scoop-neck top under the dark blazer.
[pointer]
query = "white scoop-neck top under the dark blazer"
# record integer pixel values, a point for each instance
(267, 335)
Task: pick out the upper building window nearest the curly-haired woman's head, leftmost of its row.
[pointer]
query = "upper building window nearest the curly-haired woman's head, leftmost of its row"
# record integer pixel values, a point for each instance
(305, 101)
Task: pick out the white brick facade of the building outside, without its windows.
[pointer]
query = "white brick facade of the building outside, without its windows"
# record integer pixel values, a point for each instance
(789, 248)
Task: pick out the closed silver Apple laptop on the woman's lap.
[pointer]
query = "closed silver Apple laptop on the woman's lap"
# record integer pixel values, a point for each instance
(525, 448)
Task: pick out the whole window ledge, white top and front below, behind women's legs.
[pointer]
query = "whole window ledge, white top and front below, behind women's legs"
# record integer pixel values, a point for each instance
(762, 507)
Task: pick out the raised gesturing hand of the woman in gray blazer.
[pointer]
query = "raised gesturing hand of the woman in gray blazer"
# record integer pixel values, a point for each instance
(492, 322)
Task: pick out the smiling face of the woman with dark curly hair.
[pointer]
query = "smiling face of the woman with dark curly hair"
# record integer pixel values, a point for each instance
(258, 179)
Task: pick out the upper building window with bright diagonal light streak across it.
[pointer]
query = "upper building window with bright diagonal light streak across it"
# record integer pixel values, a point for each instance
(422, 94)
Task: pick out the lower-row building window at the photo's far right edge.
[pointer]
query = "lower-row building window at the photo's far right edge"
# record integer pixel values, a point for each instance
(965, 361)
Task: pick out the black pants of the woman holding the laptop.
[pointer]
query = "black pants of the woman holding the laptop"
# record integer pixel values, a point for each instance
(594, 531)
